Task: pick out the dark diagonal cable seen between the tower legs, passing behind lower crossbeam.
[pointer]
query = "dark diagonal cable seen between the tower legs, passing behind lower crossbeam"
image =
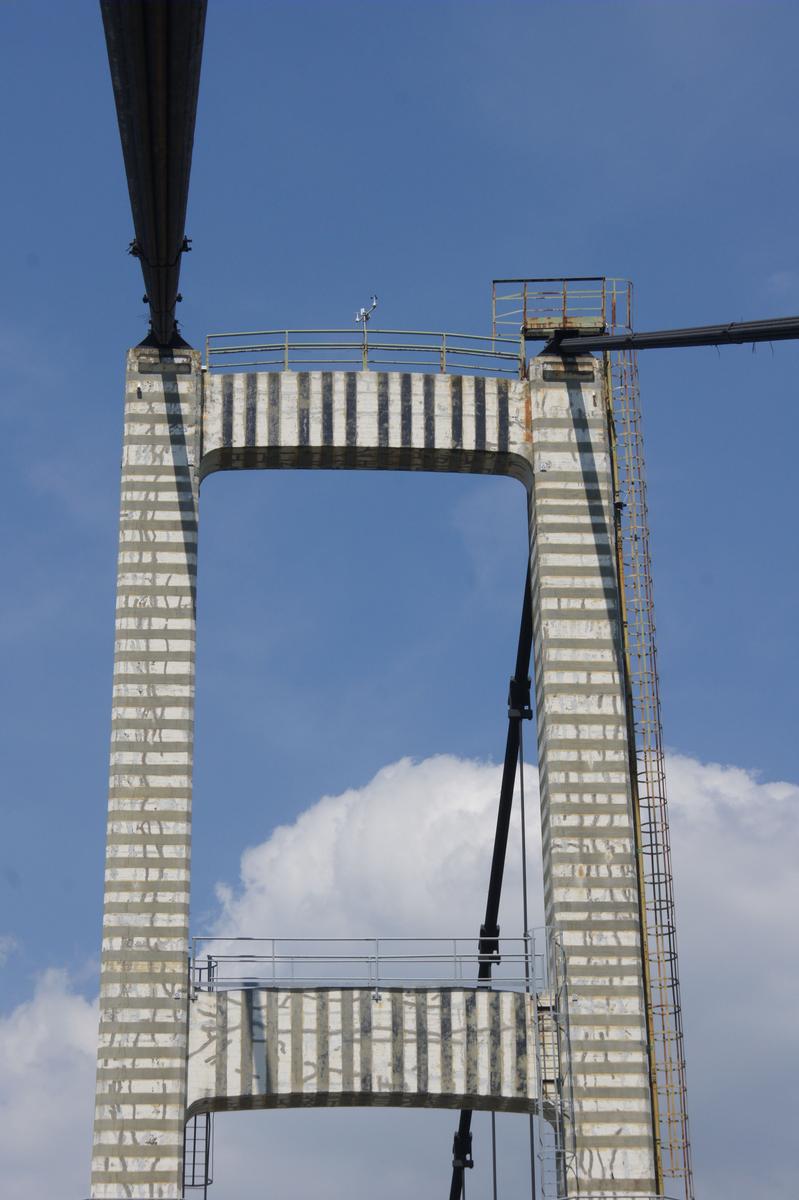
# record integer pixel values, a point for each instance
(519, 710)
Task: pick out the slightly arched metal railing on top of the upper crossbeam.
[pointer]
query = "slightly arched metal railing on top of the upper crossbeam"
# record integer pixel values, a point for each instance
(367, 350)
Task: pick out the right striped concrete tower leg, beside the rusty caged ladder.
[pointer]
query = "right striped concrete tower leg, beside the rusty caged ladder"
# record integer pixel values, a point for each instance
(590, 866)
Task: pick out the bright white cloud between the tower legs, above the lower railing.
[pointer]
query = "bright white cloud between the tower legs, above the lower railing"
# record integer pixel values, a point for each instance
(407, 855)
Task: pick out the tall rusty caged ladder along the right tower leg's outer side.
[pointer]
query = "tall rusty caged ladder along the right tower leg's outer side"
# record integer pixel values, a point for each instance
(665, 1015)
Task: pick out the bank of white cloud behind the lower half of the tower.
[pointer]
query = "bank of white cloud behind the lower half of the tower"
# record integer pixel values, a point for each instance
(408, 855)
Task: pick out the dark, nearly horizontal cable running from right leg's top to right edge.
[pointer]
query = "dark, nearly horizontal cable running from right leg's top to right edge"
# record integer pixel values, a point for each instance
(777, 329)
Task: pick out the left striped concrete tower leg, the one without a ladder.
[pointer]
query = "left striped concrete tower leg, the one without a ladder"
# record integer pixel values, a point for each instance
(141, 1099)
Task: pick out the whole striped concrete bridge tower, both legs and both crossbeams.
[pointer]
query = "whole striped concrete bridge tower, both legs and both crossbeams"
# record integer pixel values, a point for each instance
(176, 1045)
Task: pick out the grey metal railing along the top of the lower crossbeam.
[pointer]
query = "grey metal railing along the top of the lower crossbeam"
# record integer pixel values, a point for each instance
(220, 964)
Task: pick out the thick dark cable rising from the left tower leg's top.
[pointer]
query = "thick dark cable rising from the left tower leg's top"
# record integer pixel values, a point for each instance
(155, 49)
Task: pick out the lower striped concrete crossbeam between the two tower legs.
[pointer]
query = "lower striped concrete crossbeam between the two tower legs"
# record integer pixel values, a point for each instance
(431, 1048)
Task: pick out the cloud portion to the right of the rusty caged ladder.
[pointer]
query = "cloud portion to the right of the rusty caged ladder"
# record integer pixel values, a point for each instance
(736, 848)
